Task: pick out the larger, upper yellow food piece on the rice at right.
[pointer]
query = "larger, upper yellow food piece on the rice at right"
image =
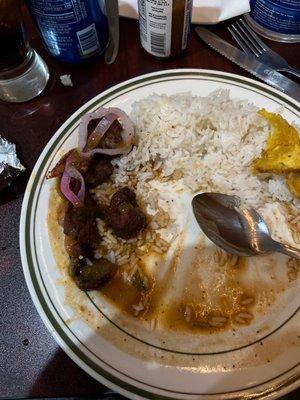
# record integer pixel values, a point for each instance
(282, 154)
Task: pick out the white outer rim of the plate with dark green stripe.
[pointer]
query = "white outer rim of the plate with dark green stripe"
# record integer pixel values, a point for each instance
(185, 73)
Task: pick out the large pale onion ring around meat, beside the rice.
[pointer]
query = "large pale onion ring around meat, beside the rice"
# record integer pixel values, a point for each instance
(127, 132)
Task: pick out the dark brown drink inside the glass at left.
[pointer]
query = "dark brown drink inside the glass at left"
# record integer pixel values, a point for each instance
(13, 45)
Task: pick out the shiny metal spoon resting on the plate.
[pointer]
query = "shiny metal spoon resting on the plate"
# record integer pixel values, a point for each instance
(235, 228)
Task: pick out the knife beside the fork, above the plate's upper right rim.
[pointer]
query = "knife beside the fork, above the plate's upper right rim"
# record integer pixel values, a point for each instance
(250, 63)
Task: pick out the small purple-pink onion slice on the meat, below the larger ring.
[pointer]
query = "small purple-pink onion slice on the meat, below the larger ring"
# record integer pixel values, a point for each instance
(77, 199)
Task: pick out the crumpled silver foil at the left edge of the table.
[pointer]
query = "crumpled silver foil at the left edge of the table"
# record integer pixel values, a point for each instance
(10, 166)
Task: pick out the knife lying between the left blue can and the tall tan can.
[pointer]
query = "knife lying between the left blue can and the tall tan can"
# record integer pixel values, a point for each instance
(112, 13)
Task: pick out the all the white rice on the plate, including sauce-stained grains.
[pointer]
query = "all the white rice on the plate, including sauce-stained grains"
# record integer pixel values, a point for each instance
(193, 144)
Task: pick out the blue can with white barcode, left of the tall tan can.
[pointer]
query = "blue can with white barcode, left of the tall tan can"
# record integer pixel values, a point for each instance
(72, 30)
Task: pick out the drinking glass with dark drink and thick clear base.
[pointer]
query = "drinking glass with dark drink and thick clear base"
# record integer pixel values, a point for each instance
(23, 73)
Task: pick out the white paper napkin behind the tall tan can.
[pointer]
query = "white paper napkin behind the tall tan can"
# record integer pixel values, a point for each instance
(204, 11)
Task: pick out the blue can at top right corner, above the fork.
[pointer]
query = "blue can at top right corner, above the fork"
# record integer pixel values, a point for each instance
(276, 19)
